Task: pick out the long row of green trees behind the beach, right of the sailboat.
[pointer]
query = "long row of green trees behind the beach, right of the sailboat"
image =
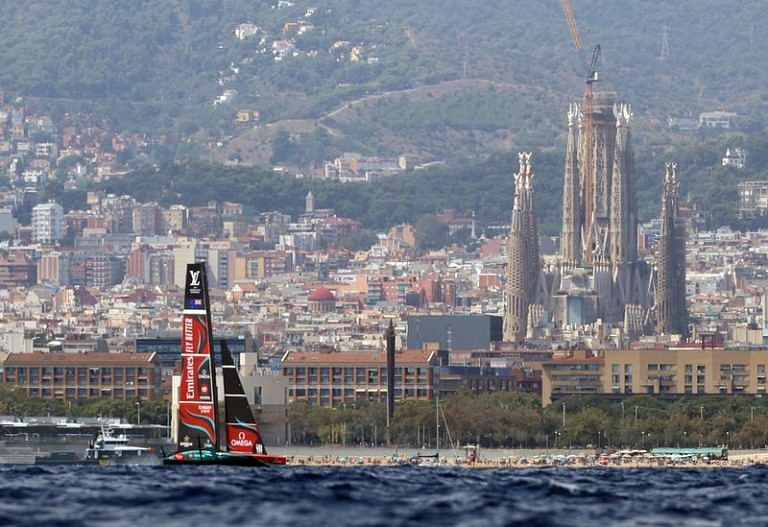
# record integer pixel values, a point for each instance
(518, 421)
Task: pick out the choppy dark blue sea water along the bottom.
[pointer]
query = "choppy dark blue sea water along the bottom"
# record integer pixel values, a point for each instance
(363, 496)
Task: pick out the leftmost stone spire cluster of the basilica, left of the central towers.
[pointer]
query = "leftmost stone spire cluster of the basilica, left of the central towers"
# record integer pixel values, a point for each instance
(522, 254)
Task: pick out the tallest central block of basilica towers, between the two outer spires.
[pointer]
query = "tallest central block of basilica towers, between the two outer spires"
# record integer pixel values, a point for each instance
(598, 244)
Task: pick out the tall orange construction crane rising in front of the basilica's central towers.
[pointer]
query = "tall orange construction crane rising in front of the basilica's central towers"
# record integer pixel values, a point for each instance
(587, 152)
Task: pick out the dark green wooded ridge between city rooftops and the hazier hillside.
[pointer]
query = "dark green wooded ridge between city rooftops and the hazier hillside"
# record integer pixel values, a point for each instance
(484, 187)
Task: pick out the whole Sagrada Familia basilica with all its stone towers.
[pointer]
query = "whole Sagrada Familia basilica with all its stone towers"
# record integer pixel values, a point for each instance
(597, 274)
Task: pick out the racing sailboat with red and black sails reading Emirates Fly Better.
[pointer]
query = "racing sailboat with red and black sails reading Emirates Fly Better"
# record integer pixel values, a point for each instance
(200, 438)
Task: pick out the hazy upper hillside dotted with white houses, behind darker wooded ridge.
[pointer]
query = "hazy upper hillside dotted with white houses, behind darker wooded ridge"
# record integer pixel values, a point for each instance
(158, 65)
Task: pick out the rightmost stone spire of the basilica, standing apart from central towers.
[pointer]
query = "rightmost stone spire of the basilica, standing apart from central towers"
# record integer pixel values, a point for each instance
(671, 309)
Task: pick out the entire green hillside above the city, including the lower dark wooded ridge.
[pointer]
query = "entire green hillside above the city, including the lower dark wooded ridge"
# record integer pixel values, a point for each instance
(470, 82)
